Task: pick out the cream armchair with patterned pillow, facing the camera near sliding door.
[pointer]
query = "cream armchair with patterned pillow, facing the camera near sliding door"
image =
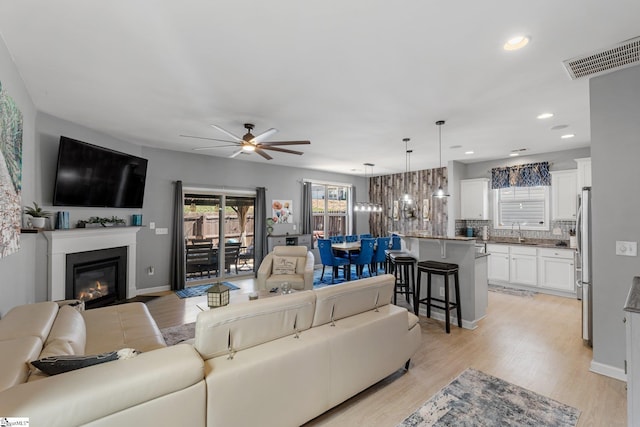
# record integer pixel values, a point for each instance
(293, 264)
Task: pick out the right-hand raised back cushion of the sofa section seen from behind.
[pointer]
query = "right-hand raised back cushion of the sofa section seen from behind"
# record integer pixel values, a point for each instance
(350, 298)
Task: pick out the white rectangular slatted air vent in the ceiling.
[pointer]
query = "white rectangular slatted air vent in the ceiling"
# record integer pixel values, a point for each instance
(623, 55)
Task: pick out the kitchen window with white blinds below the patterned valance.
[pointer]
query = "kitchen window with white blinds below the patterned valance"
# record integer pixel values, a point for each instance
(527, 207)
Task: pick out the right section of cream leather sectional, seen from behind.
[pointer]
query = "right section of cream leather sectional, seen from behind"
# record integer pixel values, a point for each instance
(284, 360)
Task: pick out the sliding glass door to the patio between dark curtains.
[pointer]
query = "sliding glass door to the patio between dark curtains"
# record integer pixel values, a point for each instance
(219, 231)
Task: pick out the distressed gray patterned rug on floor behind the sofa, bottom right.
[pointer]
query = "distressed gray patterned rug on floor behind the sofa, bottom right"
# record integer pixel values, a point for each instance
(478, 399)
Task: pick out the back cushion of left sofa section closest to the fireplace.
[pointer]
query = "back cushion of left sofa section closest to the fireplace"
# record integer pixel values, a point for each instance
(29, 320)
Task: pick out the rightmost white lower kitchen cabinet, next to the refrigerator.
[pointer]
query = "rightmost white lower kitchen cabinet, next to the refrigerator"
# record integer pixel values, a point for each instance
(556, 269)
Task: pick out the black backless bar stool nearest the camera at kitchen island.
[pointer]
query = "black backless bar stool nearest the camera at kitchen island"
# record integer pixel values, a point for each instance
(442, 269)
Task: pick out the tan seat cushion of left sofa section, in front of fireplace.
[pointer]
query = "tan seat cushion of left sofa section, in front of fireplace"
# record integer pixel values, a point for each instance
(121, 326)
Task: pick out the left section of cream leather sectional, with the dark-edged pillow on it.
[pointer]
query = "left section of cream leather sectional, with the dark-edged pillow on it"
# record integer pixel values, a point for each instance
(144, 390)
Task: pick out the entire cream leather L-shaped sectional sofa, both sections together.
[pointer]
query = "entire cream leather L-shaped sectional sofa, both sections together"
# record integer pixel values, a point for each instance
(277, 361)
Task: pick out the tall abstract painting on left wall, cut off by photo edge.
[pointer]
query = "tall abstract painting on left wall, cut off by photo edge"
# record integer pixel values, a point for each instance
(10, 174)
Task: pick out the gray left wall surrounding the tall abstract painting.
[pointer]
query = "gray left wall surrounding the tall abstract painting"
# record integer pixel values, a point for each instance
(17, 271)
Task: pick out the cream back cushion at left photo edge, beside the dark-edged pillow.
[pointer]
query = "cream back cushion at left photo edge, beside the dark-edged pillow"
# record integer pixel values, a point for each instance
(15, 356)
